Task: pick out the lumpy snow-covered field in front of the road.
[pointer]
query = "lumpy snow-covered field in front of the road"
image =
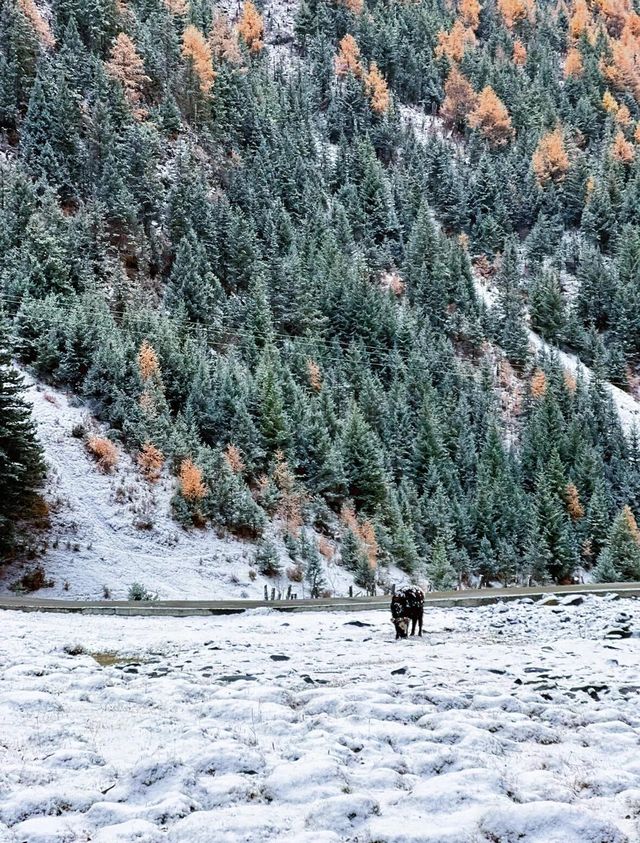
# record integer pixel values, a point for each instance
(516, 722)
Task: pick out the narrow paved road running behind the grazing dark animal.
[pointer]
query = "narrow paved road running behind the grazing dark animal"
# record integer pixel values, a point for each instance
(186, 608)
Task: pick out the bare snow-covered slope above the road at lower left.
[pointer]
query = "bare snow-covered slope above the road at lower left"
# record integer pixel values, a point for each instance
(111, 530)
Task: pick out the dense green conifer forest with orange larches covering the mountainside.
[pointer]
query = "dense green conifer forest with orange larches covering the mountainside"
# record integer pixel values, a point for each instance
(257, 253)
